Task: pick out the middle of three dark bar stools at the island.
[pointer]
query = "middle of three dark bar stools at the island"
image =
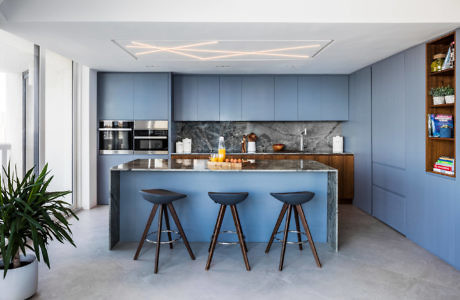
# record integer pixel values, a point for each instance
(228, 199)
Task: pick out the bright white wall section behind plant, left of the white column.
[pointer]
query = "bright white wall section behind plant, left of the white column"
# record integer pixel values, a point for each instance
(57, 121)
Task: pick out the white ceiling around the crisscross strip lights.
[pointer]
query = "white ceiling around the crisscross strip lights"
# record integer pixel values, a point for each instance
(84, 31)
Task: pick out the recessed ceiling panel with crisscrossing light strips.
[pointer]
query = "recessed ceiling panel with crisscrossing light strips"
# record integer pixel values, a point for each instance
(215, 50)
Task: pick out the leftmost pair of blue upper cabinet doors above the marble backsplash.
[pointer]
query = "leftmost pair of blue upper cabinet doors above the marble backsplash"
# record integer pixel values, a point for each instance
(196, 98)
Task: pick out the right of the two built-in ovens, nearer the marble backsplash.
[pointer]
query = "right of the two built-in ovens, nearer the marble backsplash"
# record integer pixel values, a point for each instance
(151, 137)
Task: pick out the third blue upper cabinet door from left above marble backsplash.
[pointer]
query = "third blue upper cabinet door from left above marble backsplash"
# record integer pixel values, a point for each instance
(230, 98)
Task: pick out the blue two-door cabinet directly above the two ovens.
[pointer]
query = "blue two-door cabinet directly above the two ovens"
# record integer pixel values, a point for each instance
(133, 96)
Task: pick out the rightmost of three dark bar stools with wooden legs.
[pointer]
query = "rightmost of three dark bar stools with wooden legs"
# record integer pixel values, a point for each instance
(293, 201)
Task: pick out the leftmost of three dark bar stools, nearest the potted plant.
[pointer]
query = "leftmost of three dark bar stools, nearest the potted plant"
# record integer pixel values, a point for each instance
(164, 199)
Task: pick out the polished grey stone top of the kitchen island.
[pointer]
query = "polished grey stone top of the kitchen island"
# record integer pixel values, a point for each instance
(200, 165)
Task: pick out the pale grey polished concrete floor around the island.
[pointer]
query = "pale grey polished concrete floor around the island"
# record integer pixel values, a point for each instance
(374, 262)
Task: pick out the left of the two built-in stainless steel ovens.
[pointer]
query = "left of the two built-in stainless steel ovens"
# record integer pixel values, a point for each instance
(115, 137)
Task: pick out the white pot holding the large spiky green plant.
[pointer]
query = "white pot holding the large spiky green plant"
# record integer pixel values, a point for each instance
(20, 283)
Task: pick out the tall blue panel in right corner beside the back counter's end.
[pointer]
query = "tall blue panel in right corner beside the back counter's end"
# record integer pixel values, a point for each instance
(357, 134)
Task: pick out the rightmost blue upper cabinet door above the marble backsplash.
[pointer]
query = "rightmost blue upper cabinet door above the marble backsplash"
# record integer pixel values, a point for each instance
(334, 98)
